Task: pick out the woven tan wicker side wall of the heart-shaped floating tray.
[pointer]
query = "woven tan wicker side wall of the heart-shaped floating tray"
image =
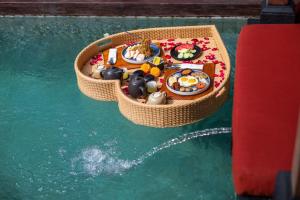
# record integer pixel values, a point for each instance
(176, 113)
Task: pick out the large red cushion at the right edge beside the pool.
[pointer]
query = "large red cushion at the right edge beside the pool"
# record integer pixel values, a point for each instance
(266, 105)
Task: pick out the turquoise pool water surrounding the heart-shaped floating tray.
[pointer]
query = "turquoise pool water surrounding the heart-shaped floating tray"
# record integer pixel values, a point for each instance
(56, 143)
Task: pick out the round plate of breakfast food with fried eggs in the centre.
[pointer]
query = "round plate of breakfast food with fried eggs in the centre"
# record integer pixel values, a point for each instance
(187, 82)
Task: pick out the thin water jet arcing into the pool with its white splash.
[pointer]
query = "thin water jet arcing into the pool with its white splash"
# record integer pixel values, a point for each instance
(95, 161)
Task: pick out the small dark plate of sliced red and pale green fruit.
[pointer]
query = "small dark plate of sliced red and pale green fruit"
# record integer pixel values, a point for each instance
(185, 52)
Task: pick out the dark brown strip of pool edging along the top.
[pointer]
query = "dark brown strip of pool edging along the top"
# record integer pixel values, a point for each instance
(197, 8)
